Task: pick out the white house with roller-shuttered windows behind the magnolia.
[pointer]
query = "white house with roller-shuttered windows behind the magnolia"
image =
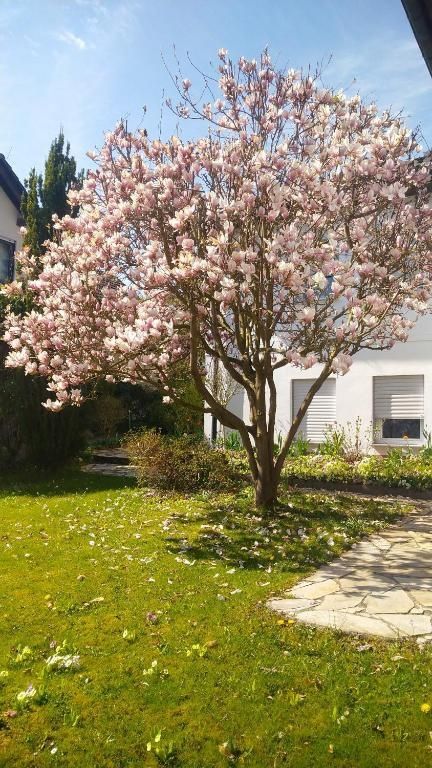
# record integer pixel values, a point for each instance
(391, 392)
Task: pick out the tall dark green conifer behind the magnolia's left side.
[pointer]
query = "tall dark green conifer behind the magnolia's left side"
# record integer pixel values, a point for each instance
(27, 429)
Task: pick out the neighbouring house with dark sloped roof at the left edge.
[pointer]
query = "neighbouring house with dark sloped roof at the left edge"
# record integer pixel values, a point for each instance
(11, 191)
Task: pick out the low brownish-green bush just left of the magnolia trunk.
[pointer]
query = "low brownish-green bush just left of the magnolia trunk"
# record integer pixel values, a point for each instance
(185, 463)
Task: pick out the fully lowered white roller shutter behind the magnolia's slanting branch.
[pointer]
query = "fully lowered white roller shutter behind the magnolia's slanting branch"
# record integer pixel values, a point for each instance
(321, 413)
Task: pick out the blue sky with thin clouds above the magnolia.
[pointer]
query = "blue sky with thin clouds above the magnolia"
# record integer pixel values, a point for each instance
(82, 64)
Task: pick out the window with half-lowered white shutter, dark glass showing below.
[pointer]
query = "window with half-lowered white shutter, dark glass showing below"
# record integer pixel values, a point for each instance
(398, 408)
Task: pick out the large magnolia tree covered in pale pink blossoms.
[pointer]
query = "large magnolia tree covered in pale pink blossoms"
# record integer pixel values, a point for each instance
(296, 231)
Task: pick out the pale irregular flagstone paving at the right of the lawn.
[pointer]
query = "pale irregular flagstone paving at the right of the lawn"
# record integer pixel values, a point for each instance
(382, 586)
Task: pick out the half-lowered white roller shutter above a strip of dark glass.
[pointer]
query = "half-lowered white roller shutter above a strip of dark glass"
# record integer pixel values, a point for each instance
(398, 397)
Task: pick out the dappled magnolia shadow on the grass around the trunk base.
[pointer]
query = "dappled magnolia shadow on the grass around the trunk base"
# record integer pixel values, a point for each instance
(306, 530)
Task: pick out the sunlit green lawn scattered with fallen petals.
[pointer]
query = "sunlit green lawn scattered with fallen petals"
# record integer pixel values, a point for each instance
(163, 600)
